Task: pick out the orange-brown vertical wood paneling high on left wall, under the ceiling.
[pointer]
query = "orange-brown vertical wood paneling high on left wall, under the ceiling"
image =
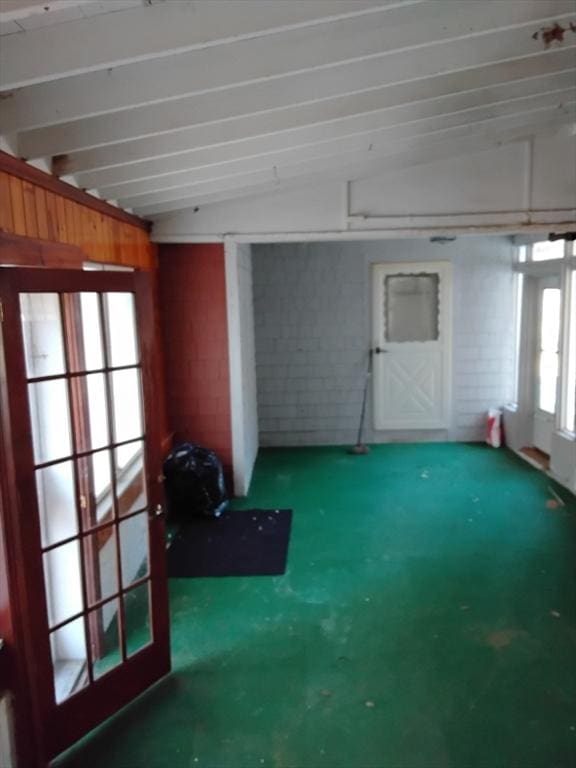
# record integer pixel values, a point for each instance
(36, 205)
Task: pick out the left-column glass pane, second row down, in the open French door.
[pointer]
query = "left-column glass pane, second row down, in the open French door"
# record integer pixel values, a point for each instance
(50, 416)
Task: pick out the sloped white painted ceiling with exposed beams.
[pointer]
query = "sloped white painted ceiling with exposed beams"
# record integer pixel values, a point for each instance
(161, 105)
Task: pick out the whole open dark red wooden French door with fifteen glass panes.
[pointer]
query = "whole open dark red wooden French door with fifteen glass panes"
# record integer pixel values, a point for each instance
(83, 454)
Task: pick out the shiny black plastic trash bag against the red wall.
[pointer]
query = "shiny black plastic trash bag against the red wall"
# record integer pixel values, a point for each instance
(194, 482)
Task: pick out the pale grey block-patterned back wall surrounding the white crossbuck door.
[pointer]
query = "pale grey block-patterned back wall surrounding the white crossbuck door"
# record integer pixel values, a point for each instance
(312, 310)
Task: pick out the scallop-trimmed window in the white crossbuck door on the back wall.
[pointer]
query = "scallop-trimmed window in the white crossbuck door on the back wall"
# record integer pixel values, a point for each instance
(411, 307)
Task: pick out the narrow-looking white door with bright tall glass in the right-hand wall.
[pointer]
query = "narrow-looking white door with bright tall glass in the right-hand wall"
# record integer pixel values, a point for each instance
(548, 316)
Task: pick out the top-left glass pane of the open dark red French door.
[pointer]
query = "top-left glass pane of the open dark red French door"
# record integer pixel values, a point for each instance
(42, 331)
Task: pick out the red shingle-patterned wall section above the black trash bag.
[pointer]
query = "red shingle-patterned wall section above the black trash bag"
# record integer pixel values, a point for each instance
(192, 289)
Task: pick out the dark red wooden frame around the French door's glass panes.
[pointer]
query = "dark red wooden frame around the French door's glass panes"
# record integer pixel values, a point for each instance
(24, 564)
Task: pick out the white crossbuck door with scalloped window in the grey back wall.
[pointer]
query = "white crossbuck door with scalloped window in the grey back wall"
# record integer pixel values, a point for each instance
(412, 341)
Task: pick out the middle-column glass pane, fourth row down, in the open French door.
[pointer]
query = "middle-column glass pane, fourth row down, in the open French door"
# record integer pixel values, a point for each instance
(101, 565)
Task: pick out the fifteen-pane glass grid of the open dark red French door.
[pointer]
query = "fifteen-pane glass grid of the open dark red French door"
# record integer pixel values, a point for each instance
(85, 398)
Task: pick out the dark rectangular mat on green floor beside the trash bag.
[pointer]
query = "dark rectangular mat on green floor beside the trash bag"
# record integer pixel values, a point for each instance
(251, 542)
